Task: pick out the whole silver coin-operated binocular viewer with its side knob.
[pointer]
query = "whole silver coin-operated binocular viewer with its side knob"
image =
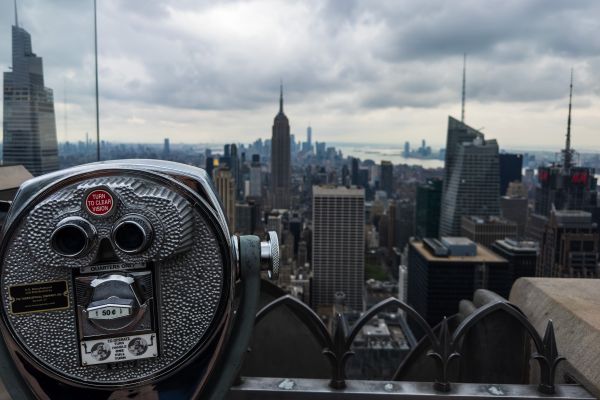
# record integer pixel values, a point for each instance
(121, 280)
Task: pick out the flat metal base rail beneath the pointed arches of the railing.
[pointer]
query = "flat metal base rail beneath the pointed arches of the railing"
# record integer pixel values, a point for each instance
(317, 389)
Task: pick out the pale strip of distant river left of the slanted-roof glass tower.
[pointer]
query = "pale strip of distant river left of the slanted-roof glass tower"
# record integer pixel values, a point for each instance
(379, 153)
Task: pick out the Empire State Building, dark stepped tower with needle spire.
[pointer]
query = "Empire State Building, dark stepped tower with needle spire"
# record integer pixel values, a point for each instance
(280, 159)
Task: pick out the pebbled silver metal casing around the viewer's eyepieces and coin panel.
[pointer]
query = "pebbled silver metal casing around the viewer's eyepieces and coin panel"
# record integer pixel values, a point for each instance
(191, 254)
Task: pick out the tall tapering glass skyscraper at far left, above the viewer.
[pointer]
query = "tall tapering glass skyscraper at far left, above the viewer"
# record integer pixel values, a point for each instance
(29, 123)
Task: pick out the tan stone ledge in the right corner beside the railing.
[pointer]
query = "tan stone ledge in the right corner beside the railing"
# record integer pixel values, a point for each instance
(574, 307)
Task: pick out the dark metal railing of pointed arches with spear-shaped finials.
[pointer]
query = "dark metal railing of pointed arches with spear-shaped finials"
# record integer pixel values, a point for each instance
(445, 347)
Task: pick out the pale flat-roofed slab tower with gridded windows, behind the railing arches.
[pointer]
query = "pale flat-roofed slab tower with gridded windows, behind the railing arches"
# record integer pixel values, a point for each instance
(338, 243)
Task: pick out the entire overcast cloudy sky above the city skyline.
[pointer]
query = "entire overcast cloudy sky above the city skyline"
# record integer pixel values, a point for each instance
(357, 71)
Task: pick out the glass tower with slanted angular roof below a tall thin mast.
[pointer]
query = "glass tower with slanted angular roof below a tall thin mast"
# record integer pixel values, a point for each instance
(471, 177)
